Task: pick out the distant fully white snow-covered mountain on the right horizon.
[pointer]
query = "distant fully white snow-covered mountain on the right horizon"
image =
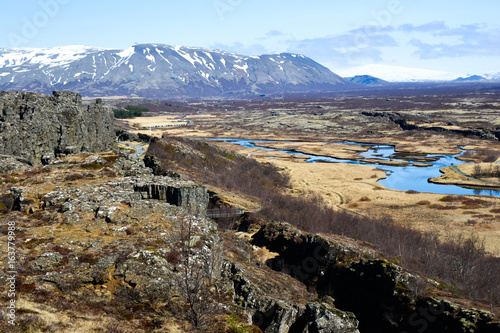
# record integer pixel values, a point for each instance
(399, 74)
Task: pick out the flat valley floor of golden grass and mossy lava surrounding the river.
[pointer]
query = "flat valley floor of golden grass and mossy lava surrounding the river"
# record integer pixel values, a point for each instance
(355, 187)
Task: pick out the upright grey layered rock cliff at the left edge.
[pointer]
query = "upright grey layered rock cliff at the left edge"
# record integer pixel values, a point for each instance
(34, 125)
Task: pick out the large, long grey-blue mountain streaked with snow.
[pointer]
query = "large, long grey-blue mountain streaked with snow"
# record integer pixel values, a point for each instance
(160, 71)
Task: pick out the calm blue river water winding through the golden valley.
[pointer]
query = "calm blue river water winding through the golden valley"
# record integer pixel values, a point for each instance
(398, 178)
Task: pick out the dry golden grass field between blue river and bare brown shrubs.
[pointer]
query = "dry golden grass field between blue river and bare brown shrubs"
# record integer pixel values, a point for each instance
(352, 187)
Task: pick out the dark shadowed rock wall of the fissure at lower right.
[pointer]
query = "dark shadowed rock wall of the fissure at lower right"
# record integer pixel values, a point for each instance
(378, 292)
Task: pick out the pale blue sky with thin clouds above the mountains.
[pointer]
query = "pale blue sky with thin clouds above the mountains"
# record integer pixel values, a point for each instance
(459, 36)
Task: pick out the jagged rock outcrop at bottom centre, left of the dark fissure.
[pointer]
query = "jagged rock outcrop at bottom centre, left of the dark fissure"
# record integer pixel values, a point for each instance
(276, 311)
